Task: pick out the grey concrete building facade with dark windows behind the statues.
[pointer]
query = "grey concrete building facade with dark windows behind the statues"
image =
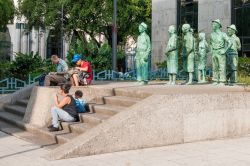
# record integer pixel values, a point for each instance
(199, 14)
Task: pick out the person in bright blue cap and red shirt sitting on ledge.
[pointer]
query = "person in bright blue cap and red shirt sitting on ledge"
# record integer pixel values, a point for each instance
(82, 74)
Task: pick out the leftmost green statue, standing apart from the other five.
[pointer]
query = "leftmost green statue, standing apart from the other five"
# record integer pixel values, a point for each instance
(142, 55)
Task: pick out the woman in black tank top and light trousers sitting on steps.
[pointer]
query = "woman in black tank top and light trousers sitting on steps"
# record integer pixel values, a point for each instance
(64, 110)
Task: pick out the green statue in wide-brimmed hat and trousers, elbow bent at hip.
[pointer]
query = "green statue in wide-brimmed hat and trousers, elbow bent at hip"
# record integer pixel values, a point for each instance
(220, 43)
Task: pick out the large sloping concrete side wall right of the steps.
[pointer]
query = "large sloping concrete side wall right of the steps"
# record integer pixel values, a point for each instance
(162, 120)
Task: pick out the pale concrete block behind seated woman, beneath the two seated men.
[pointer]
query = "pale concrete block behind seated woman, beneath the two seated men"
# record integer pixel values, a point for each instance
(42, 99)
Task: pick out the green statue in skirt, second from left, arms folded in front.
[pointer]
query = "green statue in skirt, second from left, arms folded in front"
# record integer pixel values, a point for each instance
(172, 55)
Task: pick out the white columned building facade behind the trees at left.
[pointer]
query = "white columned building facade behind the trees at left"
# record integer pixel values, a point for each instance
(17, 39)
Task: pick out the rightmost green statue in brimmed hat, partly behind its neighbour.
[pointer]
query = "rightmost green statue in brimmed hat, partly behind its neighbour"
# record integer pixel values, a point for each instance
(232, 55)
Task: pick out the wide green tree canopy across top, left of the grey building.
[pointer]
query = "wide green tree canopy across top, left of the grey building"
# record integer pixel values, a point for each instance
(88, 16)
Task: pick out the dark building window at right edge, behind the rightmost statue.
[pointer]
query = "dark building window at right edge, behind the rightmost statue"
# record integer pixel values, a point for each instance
(241, 18)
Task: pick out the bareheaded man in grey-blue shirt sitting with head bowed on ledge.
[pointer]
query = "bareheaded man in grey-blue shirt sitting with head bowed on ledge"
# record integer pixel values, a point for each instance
(61, 74)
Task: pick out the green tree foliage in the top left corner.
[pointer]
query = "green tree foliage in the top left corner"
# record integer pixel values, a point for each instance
(7, 11)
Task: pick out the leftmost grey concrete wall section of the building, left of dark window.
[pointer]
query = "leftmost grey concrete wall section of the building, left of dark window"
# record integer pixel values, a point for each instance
(163, 15)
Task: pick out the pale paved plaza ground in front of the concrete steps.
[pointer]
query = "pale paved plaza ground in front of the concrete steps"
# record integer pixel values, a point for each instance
(230, 152)
